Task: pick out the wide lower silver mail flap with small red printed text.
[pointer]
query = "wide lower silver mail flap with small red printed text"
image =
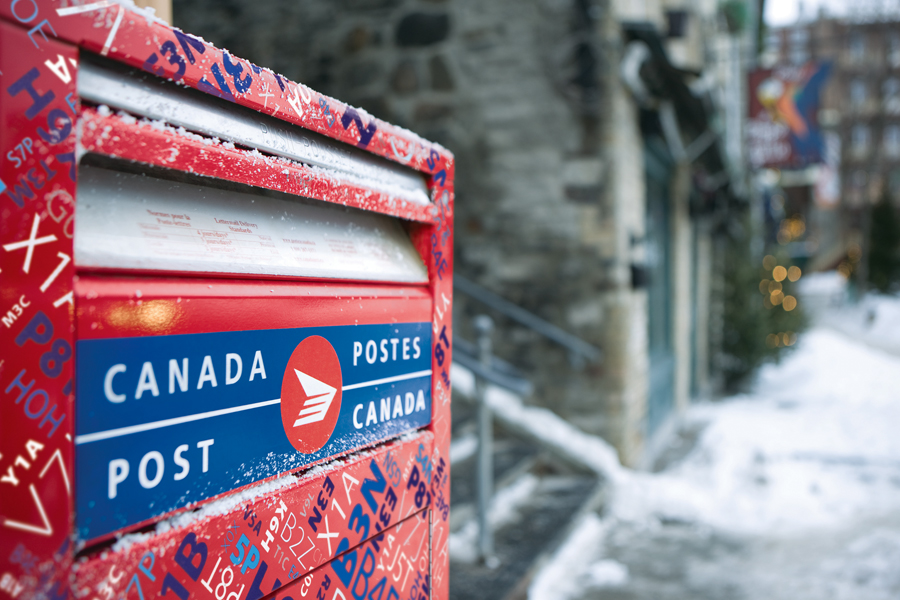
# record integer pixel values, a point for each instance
(135, 222)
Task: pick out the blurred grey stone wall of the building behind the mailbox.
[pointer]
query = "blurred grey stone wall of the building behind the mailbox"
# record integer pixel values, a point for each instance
(549, 160)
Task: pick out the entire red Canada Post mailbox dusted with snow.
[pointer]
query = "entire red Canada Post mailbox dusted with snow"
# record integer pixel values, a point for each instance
(226, 319)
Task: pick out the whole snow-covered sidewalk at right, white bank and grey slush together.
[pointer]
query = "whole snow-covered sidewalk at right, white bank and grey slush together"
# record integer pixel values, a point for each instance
(791, 492)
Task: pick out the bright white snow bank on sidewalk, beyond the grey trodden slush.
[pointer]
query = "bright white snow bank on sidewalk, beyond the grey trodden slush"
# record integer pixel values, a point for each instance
(814, 445)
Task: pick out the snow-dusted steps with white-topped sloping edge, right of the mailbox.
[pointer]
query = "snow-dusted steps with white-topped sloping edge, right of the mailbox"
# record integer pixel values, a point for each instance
(546, 472)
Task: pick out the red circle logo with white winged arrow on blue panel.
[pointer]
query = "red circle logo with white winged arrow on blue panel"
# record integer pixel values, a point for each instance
(311, 394)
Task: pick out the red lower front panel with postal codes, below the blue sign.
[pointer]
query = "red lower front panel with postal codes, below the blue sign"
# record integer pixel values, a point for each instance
(269, 538)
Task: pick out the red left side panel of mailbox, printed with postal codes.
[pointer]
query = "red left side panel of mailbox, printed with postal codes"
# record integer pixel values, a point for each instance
(37, 140)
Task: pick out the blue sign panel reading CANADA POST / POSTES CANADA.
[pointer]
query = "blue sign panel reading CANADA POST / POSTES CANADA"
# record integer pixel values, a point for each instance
(164, 421)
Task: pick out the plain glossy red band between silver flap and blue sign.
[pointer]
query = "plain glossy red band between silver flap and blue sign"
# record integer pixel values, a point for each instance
(133, 306)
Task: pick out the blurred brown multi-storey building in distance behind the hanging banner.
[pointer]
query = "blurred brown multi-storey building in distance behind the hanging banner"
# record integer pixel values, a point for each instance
(859, 117)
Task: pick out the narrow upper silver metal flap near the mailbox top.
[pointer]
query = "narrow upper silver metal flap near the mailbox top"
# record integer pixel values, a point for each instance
(142, 94)
